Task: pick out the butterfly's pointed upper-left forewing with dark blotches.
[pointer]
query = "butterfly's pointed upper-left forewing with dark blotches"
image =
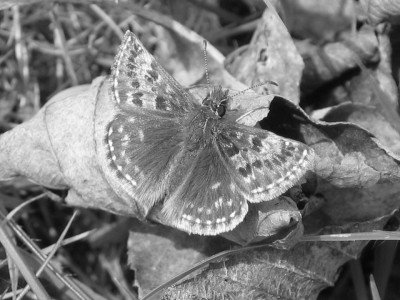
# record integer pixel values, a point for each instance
(139, 82)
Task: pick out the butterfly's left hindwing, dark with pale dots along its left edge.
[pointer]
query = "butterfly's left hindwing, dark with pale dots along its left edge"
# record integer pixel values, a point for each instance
(142, 150)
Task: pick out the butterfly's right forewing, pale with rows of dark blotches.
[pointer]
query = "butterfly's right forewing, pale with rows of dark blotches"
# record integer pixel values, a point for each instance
(266, 165)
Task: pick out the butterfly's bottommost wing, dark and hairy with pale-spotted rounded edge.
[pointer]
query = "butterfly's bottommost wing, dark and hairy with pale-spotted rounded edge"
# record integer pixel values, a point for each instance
(206, 200)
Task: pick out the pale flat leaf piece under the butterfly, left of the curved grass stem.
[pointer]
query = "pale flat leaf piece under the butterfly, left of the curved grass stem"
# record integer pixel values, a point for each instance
(157, 254)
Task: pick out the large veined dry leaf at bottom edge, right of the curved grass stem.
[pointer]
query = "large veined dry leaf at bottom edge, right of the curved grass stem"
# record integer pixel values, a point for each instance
(277, 274)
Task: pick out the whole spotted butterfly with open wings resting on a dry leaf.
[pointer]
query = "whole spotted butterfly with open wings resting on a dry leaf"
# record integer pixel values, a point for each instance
(163, 145)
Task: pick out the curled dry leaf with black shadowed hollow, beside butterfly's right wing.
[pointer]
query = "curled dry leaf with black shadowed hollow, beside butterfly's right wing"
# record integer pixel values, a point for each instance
(346, 154)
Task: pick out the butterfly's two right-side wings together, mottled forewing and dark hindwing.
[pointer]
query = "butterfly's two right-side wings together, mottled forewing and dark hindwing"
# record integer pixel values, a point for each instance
(242, 164)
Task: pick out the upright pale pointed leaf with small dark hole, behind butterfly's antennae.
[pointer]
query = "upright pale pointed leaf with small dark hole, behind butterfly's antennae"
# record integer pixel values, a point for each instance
(271, 55)
